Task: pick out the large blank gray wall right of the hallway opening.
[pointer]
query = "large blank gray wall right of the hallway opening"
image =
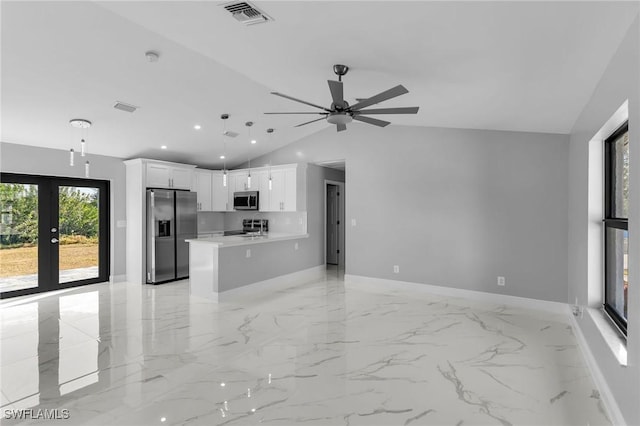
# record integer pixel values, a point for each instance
(452, 207)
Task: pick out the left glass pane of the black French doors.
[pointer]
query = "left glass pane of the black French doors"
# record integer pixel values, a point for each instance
(18, 236)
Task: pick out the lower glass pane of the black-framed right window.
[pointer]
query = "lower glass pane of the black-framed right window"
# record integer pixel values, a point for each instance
(617, 270)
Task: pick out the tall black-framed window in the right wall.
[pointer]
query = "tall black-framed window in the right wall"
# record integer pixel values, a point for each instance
(616, 226)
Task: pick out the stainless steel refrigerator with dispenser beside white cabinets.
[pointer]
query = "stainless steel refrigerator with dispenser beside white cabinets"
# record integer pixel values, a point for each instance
(171, 219)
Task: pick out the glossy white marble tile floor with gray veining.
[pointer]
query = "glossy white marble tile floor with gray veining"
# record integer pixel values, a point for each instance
(313, 354)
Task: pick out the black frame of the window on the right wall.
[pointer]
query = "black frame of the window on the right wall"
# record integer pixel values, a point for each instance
(611, 220)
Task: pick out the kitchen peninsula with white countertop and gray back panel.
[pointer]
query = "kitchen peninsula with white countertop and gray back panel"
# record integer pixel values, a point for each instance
(221, 263)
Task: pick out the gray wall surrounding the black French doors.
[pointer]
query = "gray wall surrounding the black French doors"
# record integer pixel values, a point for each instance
(54, 162)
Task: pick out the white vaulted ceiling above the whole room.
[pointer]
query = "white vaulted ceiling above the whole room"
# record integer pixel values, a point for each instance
(521, 66)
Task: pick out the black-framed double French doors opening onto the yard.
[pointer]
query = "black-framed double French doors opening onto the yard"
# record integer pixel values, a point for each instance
(54, 233)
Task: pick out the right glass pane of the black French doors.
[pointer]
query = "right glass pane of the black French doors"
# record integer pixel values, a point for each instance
(79, 233)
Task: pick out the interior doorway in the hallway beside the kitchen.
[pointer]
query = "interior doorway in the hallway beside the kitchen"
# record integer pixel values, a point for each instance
(334, 224)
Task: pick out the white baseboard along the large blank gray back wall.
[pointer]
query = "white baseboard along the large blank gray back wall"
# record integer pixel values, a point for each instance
(381, 284)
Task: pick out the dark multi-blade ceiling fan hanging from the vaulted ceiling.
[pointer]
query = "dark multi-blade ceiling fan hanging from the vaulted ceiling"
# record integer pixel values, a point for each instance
(340, 113)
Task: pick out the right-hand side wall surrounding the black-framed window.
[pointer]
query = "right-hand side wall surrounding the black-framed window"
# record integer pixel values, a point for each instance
(618, 84)
